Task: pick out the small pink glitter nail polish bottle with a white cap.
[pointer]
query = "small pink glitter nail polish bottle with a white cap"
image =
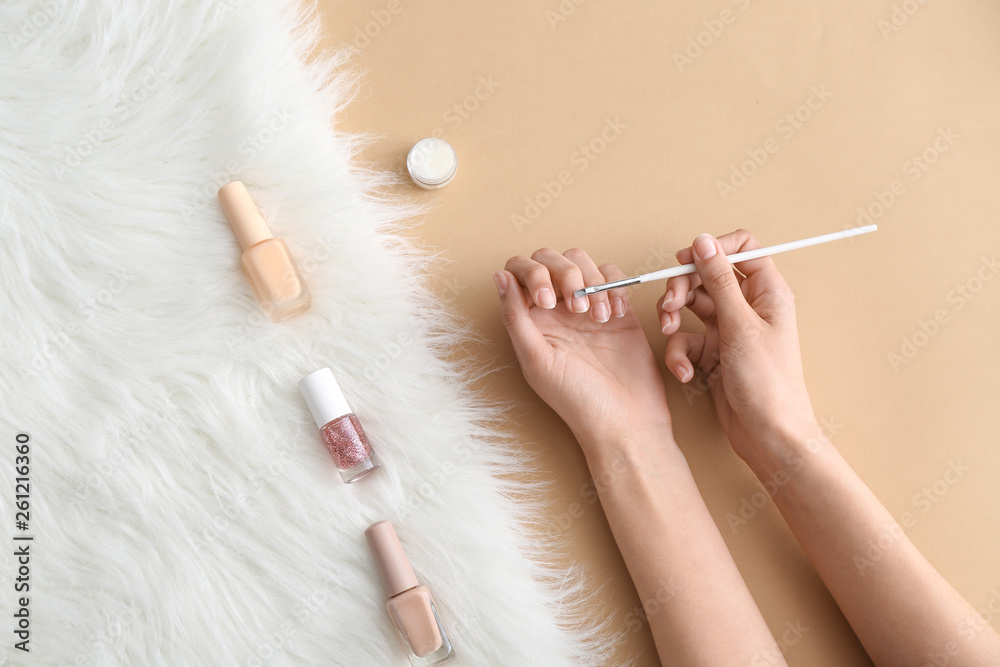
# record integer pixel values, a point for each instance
(342, 432)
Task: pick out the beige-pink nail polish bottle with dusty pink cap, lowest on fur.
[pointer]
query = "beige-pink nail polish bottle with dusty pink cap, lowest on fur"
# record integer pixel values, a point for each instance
(410, 606)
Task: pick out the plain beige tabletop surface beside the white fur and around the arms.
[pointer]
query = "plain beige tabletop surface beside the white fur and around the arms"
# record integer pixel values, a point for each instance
(556, 80)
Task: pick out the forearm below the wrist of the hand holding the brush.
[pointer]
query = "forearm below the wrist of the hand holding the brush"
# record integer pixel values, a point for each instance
(901, 608)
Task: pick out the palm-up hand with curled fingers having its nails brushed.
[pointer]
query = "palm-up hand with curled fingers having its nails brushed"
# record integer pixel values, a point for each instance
(587, 358)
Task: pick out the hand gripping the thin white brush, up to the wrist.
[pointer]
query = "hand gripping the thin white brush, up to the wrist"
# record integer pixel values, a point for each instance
(749, 353)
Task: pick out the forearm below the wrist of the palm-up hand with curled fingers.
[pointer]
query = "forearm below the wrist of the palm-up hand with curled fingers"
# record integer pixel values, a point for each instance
(697, 604)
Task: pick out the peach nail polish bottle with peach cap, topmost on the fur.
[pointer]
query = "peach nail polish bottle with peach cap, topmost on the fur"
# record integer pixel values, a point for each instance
(273, 273)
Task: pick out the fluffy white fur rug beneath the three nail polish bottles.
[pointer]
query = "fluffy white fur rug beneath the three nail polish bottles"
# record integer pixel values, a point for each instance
(183, 507)
